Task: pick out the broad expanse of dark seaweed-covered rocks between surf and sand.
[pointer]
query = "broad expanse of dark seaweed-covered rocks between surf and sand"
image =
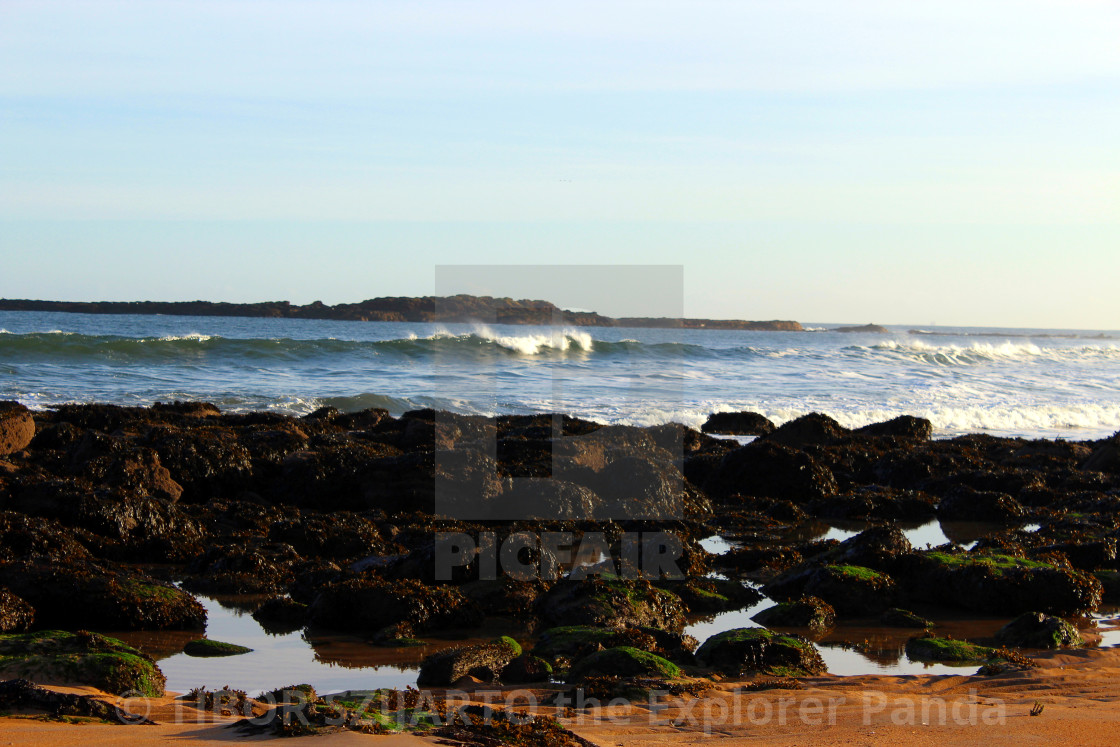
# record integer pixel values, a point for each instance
(111, 518)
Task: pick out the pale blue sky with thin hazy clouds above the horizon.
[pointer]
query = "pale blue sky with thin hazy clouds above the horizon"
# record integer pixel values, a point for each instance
(862, 162)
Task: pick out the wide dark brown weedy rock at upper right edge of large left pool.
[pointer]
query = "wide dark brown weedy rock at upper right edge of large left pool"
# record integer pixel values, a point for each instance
(370, 605)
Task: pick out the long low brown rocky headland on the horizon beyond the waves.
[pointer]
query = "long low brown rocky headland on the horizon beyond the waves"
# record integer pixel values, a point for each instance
(426, 309)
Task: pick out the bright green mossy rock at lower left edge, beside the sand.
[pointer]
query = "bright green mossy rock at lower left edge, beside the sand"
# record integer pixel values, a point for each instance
(80, 658)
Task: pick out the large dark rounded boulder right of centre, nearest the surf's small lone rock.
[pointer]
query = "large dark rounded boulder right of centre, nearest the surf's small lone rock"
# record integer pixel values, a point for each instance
(772, 471)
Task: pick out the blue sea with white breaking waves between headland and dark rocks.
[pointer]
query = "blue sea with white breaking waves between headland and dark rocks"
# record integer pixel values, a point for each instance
(1006, 382)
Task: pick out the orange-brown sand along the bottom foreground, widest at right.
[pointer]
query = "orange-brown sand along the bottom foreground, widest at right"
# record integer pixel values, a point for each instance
(1079, 690)
